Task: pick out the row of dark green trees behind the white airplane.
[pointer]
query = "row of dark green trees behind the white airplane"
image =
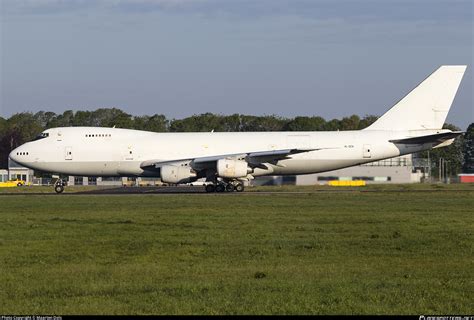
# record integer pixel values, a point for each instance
(23, 127)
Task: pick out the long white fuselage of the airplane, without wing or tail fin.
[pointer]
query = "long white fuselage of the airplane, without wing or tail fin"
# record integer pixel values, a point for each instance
(95, 151)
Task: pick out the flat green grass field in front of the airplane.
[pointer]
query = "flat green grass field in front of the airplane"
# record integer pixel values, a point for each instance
(406, 251)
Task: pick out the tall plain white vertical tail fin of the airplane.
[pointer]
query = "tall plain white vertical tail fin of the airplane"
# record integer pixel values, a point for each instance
(426, 106)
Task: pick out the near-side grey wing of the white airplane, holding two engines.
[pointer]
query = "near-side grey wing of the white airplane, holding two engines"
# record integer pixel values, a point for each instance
(253, 158)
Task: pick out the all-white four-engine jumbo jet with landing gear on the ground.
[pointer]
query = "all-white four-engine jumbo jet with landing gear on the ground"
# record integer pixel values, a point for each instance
(227, 159)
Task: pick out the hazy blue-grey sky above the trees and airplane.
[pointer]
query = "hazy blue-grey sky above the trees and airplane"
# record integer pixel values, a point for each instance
(329, 58)
